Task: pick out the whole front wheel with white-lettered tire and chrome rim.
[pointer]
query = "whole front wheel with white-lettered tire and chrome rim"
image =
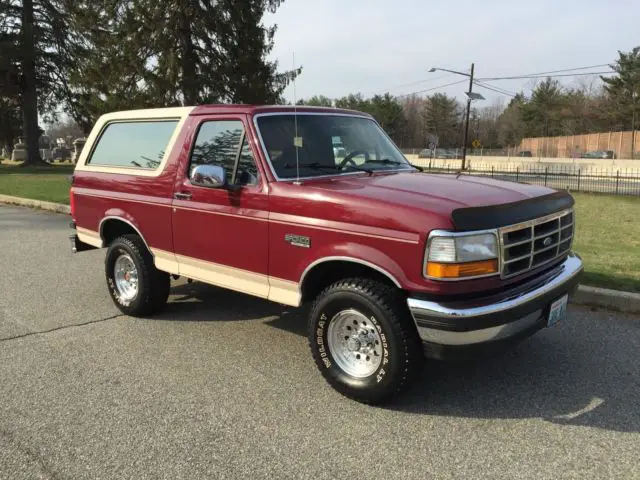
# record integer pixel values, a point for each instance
(364, 341)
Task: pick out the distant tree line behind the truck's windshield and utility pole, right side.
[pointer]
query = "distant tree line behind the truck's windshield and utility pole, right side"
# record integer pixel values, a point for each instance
(551, 109)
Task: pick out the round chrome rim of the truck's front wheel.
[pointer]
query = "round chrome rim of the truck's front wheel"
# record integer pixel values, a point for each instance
(354, 343)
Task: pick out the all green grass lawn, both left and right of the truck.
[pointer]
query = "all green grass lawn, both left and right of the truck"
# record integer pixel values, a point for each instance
(607, 229)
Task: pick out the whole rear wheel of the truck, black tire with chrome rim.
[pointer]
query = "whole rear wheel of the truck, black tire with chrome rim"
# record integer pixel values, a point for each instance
(136, 286)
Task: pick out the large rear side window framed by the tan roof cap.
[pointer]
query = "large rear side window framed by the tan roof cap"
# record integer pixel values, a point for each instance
(133, 144)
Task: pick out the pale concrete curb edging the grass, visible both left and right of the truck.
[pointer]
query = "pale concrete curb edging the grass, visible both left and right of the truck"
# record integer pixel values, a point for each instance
(625, 302)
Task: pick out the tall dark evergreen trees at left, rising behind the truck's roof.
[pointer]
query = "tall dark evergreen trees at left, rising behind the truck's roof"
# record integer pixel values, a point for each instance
(86, 58)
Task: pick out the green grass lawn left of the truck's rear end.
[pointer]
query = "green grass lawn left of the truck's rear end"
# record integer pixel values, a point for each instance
(42, 183)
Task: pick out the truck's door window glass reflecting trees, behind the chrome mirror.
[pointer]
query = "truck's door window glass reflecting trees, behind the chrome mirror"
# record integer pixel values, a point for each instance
(217, 144)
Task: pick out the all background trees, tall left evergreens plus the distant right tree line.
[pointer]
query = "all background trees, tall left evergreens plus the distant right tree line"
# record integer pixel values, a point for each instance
(86, 58)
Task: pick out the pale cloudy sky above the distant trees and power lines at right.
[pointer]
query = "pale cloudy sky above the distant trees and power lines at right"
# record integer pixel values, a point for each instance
(375, 46)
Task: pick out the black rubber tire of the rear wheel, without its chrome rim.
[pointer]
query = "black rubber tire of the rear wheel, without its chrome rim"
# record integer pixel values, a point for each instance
(153, 284)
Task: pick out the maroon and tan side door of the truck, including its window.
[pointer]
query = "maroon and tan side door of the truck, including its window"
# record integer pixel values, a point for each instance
(220, 233)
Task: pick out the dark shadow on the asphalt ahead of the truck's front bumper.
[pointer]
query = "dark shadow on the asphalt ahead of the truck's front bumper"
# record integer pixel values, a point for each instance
(584, 373)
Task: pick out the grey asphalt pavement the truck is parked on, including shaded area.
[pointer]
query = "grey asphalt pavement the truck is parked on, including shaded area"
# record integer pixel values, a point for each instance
(222, 385)
